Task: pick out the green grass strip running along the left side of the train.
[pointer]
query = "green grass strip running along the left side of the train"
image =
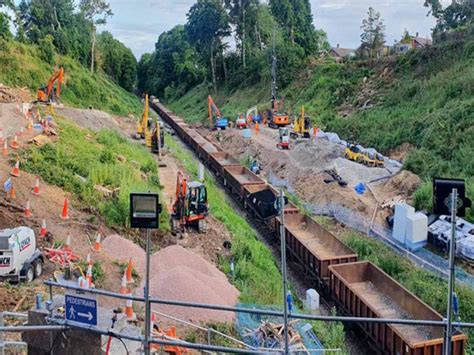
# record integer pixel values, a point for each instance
(256, 273)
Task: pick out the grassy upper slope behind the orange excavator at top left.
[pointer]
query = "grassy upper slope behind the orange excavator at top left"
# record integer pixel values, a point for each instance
(21, 66)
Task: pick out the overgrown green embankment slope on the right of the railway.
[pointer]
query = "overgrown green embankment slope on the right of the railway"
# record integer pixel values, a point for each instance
(428, 103)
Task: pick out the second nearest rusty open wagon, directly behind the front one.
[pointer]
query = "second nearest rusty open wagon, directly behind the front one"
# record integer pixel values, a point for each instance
(313, 246)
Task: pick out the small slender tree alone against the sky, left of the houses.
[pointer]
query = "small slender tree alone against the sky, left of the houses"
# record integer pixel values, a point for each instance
(373, 35)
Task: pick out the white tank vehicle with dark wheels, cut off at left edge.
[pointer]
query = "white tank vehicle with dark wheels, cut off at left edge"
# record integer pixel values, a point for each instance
(19, 258)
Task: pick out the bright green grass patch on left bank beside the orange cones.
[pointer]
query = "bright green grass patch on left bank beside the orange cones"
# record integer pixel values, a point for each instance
(82, 159)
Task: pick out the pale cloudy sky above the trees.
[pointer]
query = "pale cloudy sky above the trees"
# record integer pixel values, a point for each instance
(138, 23)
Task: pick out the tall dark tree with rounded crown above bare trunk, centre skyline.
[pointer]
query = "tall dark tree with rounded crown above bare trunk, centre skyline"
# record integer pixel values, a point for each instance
(208, 23)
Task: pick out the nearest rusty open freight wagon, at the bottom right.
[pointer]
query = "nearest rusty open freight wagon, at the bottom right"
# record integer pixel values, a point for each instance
(362, 289)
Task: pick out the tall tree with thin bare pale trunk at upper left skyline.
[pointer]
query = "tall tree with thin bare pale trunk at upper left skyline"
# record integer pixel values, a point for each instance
(95, 11)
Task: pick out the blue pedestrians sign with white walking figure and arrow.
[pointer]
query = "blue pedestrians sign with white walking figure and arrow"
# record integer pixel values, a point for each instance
(81, 308)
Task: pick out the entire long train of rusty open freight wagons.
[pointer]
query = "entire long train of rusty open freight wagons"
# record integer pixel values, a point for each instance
(358, 288)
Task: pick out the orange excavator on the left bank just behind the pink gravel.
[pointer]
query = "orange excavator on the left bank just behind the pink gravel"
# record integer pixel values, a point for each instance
(190, 206)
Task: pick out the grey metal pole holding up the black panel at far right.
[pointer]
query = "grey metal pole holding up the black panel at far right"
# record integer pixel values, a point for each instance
(451, 280)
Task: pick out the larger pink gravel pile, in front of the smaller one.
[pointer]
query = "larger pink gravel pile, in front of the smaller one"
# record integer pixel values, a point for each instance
(179, 274)
